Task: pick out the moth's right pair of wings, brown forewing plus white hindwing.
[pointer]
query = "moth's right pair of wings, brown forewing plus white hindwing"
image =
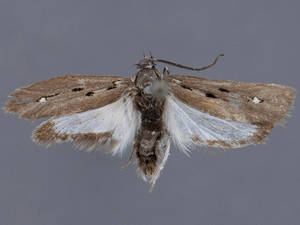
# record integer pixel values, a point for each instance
(245, 107)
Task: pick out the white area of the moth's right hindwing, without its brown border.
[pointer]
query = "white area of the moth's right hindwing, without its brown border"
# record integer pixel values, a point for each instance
(185, 123)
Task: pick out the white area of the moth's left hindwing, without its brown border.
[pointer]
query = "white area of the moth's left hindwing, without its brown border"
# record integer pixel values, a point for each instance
(120, 118)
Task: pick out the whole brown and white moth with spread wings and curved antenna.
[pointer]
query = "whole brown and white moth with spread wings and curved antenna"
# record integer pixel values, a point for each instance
(150, 110)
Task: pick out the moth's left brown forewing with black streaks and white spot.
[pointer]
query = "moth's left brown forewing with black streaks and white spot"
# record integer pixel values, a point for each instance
(66, 94)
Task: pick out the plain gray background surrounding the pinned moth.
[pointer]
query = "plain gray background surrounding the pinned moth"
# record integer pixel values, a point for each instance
(257, 185)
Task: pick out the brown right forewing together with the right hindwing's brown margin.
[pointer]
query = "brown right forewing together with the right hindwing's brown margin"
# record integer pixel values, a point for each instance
(262, 105)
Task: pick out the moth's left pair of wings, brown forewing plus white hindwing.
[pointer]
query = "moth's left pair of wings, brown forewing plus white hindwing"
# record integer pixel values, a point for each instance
(87, 110)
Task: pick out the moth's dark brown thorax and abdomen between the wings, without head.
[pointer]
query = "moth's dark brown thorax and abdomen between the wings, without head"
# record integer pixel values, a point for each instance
(148, 137)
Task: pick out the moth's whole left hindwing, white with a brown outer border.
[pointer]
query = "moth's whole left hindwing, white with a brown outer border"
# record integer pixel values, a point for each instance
(113, 126)
